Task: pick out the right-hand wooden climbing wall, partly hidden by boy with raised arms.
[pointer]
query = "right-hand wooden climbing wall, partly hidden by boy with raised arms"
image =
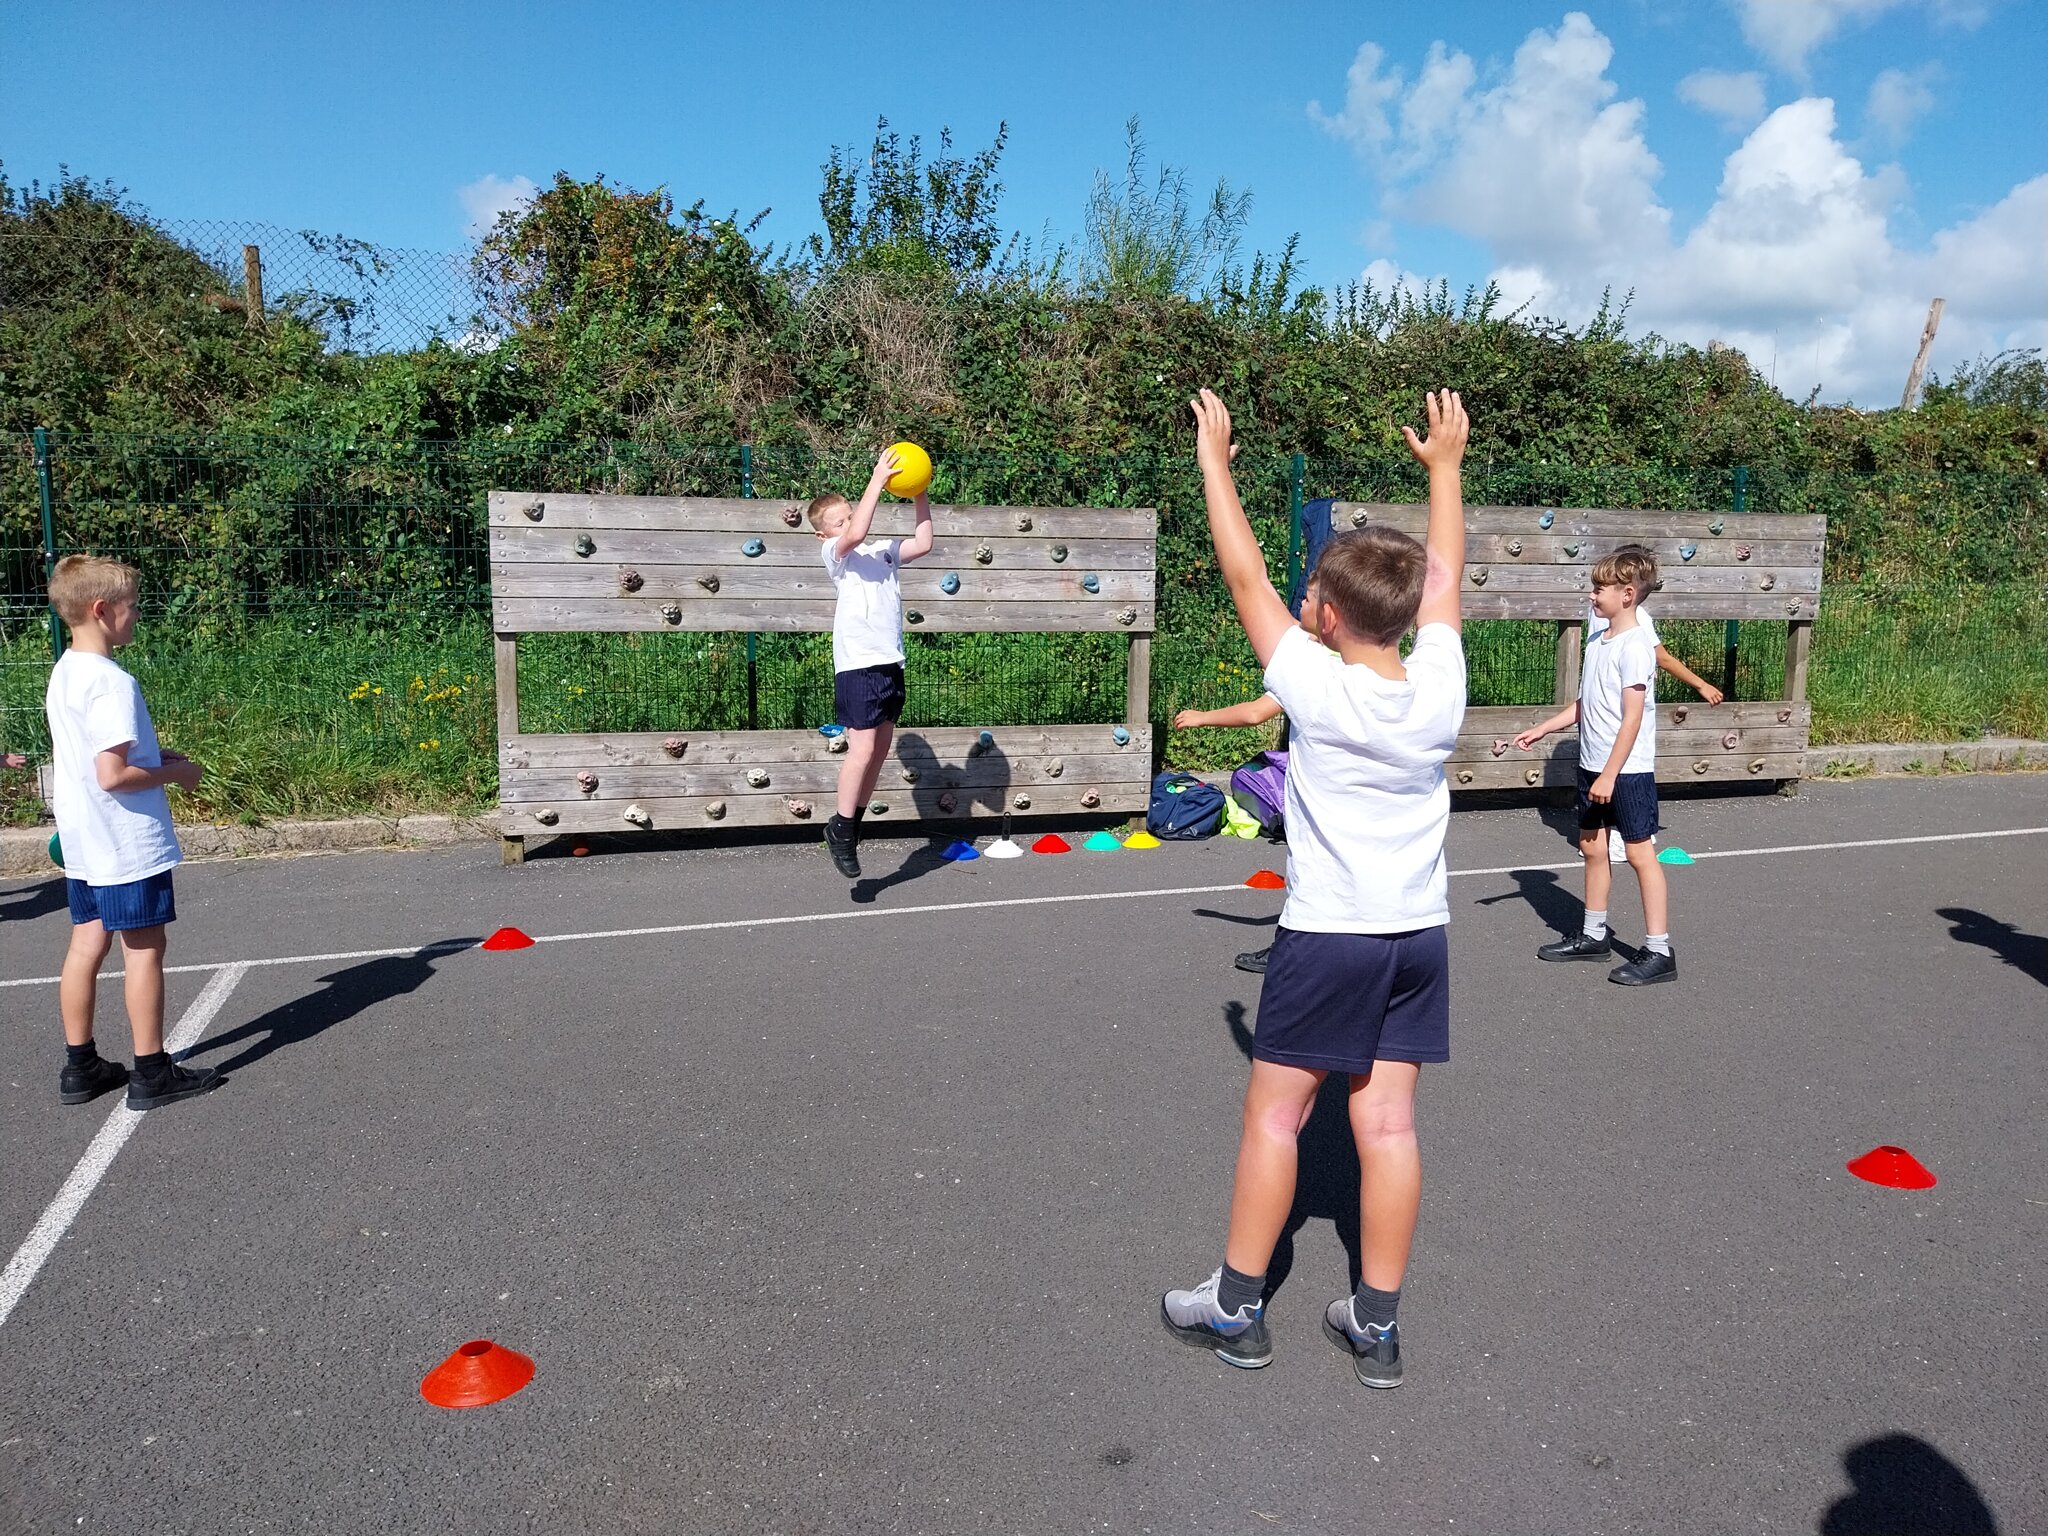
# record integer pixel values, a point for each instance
(1535, 562)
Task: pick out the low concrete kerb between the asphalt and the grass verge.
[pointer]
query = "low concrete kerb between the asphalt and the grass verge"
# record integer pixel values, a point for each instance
(24, 851)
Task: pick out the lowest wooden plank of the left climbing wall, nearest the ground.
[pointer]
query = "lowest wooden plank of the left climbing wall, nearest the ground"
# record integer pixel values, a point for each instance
(916, 806)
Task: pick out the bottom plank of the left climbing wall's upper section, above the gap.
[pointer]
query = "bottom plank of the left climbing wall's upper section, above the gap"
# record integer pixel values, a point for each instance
(708, 613)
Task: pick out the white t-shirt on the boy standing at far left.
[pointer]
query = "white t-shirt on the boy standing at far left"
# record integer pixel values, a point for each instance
(93, 708)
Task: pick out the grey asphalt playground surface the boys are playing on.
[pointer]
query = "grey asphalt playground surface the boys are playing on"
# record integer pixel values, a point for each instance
(857, 1224)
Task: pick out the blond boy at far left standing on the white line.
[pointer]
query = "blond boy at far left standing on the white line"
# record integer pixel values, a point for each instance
(114, 818)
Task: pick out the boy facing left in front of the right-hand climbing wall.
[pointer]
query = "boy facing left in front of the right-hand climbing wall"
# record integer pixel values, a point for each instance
(1617, 718)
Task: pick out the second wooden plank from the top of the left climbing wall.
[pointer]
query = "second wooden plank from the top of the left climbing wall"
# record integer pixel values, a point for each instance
(525, 546)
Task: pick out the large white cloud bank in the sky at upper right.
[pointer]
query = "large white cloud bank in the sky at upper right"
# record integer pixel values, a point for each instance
(1793, 263)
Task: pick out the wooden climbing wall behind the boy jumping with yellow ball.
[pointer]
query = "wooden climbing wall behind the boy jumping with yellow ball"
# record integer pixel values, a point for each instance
(617, 564)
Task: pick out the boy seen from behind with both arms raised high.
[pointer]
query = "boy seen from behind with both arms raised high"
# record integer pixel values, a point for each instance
(1359, 974)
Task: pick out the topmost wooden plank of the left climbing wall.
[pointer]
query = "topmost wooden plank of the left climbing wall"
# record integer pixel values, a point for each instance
(765, 517)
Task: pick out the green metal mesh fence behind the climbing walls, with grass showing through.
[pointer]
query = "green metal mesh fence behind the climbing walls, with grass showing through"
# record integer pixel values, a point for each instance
(316, 615)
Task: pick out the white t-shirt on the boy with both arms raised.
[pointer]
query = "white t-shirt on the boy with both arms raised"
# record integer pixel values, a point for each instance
(1367, 804)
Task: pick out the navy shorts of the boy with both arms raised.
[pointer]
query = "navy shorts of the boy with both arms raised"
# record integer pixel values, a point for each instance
(1340, 1002)
